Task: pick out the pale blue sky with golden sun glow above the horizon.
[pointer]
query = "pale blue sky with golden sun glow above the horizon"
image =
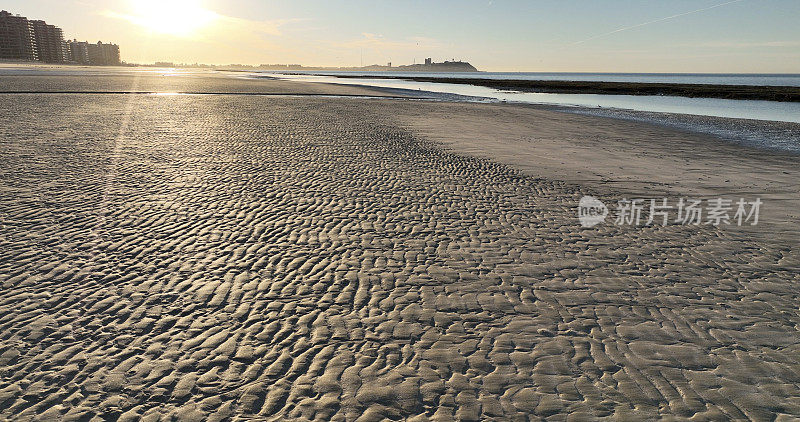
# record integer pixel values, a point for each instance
(697, 36)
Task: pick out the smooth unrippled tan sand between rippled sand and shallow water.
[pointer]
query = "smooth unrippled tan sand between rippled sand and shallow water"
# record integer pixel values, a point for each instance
(618, 159)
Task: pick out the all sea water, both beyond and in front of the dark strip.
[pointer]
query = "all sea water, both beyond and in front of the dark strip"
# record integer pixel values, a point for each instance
(769, 125)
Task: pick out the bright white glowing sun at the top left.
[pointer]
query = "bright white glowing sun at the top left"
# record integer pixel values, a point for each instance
(172, 17)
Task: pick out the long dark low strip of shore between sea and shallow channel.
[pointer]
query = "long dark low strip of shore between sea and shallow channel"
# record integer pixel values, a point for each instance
(731, 92)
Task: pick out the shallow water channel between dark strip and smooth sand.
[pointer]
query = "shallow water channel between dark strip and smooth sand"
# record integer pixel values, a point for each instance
(760, 124)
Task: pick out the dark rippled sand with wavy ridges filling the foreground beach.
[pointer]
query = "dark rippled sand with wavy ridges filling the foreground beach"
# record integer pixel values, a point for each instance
(216, 257)
